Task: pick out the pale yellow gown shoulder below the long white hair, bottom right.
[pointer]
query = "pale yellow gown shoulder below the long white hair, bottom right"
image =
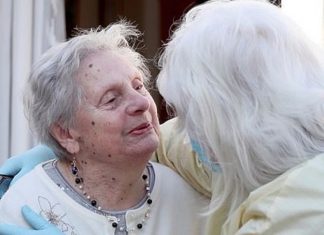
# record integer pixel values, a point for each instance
(292, 202)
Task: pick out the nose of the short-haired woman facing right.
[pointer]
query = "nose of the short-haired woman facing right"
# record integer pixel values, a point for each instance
(138, 103)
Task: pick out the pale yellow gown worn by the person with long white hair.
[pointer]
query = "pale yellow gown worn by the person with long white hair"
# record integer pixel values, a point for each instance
(292, 204)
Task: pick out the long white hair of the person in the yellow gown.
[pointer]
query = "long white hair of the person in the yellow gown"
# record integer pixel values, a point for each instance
(249, 86)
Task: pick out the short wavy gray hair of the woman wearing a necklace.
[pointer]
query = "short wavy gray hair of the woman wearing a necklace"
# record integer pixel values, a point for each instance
(53, 95)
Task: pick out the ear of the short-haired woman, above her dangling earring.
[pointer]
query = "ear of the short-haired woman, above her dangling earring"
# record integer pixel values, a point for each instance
(67, 138)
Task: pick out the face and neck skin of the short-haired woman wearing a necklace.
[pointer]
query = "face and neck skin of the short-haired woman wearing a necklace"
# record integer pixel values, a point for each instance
(118, 126)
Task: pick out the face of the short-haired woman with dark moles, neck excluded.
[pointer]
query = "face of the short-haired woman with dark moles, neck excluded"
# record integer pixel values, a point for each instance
(119, 116)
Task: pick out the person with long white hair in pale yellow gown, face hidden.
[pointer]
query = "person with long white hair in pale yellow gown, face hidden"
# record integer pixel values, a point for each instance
(247, 87)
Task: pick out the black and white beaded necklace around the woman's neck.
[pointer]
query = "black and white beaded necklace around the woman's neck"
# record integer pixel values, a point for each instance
(113, 220)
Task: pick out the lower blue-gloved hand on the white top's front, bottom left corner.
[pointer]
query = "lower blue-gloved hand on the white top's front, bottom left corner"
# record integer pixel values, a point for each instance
(39, 225)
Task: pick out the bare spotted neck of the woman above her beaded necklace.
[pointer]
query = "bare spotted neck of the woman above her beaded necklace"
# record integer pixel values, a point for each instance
(114, 187)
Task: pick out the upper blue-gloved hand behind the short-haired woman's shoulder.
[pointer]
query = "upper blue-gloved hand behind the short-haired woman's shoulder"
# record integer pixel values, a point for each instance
(23, 163)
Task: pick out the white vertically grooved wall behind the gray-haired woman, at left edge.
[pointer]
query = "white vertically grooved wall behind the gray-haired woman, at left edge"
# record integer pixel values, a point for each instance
(27, 29)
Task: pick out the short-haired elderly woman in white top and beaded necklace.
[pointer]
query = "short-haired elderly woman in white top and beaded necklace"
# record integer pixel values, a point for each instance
(86, 99)
